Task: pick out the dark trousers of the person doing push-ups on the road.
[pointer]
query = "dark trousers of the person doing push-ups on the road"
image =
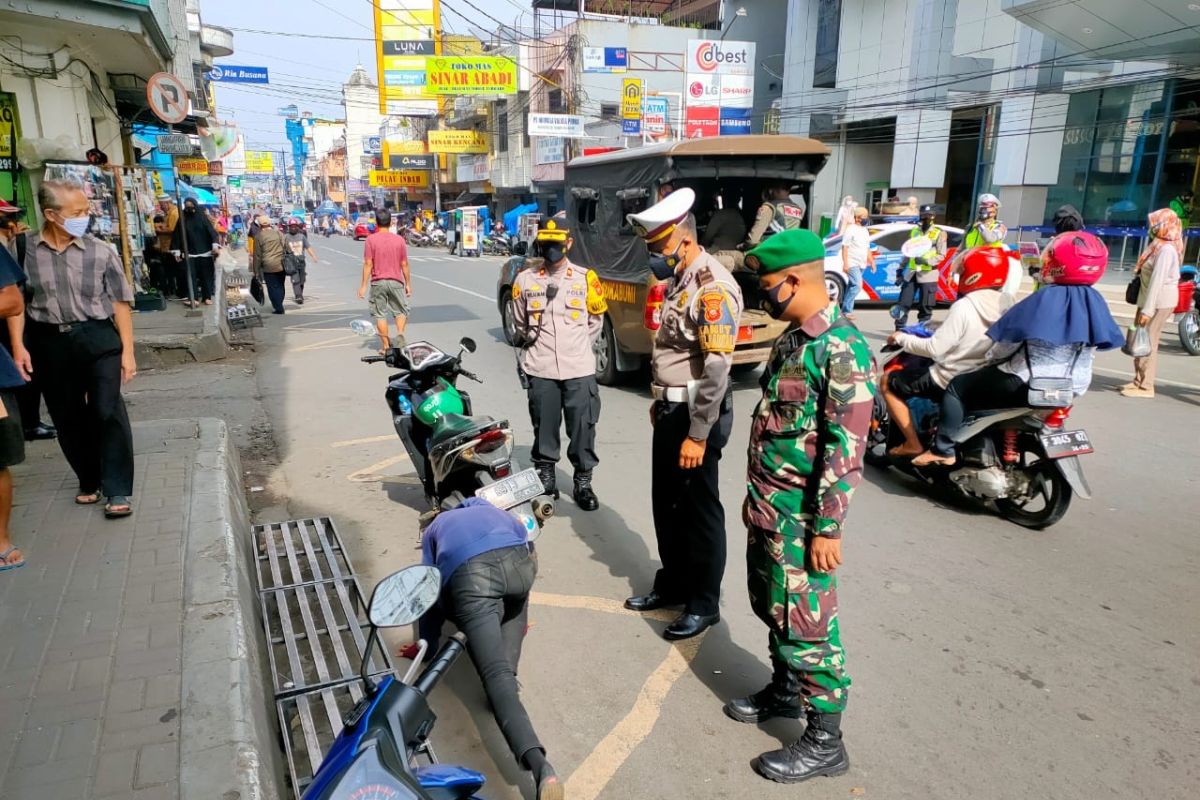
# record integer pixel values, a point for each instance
(488, 599)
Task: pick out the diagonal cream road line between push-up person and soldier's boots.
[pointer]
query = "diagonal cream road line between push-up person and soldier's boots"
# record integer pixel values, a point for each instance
(593, 775)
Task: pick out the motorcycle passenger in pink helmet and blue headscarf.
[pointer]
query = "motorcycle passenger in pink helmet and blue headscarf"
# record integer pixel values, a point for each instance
(1054, 334)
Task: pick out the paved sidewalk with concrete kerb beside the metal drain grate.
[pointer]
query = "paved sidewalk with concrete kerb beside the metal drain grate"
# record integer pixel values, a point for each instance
(130, 665)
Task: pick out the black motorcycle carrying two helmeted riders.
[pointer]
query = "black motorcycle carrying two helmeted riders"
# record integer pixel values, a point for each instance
(1022, 460)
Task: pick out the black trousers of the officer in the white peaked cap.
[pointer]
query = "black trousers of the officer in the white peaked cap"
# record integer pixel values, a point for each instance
(689, 520)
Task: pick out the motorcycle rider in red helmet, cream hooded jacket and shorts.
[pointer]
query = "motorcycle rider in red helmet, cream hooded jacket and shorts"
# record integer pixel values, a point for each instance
(959, 345)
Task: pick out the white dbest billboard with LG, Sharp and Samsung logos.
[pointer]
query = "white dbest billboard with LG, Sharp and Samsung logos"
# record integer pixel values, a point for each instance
(718, 88)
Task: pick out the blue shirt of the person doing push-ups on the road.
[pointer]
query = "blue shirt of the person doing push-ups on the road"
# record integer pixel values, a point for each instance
(459, 536)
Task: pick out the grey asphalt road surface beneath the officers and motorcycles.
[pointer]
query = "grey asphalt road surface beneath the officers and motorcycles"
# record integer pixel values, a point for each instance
(989, 661)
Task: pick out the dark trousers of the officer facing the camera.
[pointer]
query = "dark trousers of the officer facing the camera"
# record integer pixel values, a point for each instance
(578, 401)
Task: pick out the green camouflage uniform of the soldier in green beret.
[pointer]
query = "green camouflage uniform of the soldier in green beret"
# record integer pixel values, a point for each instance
(814, 417)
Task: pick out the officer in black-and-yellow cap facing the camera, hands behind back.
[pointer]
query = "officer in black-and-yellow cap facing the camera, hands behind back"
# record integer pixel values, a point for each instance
(559, 310)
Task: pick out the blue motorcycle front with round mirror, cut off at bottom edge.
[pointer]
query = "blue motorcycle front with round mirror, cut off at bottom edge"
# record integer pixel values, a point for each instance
(387, 736)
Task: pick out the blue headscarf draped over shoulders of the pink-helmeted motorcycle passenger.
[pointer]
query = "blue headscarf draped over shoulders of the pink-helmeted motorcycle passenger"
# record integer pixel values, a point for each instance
(1060, 315)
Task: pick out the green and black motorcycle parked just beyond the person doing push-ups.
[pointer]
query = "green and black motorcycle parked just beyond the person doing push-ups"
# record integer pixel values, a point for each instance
(457, 455)
